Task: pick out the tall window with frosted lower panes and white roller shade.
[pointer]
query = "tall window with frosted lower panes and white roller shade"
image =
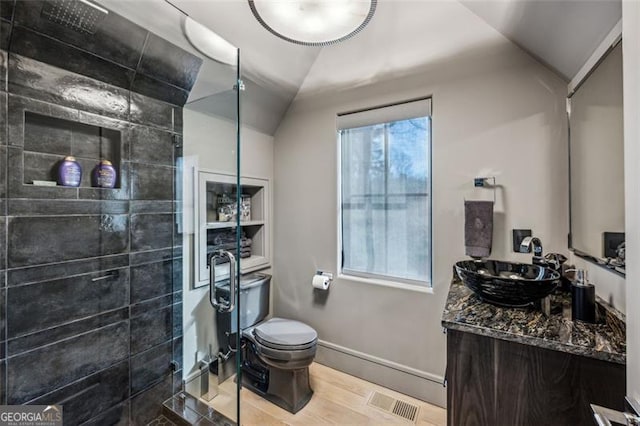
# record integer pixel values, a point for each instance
(385, 183)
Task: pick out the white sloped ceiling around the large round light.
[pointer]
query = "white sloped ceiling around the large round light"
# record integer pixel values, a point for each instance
(403, 35)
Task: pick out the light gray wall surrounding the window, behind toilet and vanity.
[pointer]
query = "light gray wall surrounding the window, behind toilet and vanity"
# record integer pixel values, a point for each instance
(496, 112)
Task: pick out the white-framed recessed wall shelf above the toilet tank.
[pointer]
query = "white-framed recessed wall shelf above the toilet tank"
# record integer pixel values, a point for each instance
(212, 191)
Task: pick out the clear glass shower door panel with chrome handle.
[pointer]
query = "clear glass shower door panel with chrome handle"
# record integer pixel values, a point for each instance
(212, 194)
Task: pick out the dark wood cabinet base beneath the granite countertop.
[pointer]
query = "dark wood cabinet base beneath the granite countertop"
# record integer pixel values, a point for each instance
(497, 382)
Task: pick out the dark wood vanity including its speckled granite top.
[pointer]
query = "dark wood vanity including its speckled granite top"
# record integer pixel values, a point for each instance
(509, 366)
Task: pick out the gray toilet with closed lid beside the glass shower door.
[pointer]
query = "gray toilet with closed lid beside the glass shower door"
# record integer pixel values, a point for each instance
(276, 353)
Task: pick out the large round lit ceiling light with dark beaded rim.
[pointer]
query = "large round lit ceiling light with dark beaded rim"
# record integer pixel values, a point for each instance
(313, 22)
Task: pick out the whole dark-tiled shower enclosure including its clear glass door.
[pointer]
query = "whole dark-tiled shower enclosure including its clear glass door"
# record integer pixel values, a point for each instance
(104, 306)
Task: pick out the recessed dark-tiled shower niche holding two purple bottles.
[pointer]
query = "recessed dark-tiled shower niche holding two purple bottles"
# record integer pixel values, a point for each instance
(47, 140)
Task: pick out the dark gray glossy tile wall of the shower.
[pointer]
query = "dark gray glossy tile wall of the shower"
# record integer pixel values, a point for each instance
(90, 279)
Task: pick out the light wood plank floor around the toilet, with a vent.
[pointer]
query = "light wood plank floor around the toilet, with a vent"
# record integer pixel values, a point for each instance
(338, 399)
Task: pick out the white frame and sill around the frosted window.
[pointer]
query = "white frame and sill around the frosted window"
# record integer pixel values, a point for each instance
(377, 115)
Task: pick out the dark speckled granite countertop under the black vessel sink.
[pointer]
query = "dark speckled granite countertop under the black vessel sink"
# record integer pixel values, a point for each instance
(605, 340)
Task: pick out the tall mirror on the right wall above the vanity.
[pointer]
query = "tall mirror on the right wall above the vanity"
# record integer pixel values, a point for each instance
(596, 164)
